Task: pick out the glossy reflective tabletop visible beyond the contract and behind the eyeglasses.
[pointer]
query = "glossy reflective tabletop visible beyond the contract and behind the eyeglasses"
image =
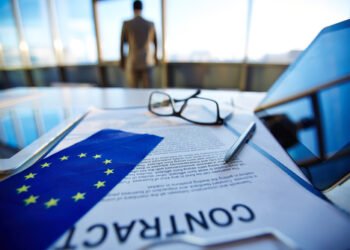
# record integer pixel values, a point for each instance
(30, 117)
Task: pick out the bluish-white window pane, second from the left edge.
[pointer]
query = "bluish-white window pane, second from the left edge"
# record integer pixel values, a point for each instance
(36, 31)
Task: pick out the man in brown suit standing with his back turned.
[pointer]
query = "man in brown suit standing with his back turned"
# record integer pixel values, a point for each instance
(139, 34)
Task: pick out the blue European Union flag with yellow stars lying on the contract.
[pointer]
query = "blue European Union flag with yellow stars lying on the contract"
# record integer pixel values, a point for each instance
(42, 202)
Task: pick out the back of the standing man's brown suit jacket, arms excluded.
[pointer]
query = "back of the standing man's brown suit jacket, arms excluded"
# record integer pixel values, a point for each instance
(139, 34)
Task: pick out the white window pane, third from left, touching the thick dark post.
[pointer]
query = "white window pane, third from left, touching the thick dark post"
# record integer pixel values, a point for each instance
(75, 19)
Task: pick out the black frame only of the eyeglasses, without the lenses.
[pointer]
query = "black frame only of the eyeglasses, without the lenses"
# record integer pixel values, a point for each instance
(219, 120)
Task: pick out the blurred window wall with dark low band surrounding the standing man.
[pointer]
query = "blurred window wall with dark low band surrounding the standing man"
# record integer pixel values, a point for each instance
(213, 44)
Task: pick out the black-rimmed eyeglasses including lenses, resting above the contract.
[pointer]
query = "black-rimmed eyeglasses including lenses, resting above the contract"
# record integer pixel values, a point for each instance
(162, 104)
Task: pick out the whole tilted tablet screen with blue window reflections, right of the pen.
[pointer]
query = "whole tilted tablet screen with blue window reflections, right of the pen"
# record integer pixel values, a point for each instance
(307, 109)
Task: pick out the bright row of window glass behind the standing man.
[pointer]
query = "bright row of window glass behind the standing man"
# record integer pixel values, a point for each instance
(197, 30)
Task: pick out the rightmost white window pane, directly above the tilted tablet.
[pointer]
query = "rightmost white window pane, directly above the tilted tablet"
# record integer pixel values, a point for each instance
(280, 30)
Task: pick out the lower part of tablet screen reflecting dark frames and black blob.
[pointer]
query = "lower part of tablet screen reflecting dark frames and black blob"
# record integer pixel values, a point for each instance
(314, 130)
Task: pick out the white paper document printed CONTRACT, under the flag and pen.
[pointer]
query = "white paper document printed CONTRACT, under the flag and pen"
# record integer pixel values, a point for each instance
(184, 191)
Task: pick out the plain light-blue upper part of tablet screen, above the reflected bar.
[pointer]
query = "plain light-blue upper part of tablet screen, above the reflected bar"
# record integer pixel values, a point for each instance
(325, 61)
